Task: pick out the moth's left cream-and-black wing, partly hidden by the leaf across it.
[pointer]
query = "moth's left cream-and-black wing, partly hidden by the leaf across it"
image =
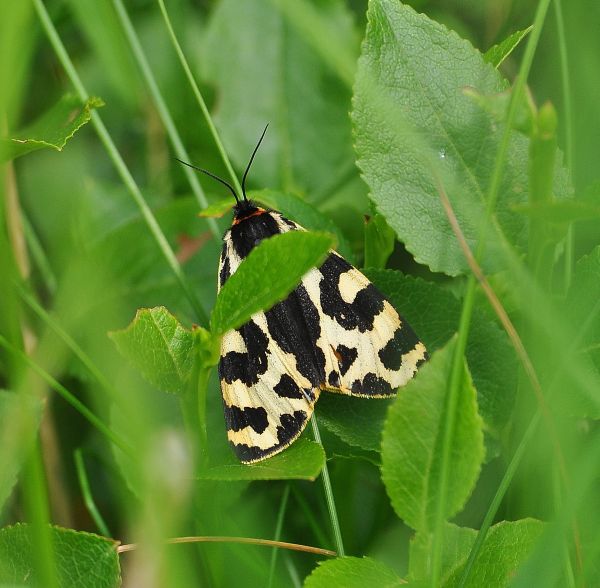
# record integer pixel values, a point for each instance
(268, 380)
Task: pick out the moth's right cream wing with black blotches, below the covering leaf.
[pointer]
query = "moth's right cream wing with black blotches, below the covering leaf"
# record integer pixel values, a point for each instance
(369, 350)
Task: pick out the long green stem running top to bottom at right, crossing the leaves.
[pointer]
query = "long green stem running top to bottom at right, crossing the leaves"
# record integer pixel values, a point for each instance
(467, 309)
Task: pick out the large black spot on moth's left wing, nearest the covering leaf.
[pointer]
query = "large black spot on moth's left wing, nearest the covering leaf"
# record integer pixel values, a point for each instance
(246, 366)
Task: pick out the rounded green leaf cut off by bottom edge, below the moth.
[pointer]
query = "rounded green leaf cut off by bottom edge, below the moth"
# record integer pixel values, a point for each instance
(353, 572)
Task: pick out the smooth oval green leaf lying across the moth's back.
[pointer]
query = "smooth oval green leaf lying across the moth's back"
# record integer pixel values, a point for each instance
(269, 273)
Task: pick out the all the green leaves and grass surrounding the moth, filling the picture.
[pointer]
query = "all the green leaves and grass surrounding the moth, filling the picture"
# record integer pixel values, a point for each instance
(420, 487)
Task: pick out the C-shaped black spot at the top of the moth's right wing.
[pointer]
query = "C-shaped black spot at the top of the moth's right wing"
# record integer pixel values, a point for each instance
(361, 312)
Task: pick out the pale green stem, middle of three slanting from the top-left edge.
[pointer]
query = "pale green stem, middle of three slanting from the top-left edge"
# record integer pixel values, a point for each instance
(161, 107)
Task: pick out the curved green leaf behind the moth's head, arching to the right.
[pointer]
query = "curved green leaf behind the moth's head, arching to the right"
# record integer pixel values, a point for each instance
(306, 215)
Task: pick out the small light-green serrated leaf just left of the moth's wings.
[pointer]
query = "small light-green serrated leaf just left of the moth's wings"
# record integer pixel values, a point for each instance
(159, 347)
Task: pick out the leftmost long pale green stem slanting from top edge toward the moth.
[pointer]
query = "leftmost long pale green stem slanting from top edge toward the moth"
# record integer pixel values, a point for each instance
(118, 162)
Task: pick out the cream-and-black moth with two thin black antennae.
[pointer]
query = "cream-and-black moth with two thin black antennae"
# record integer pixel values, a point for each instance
(335, 332)
